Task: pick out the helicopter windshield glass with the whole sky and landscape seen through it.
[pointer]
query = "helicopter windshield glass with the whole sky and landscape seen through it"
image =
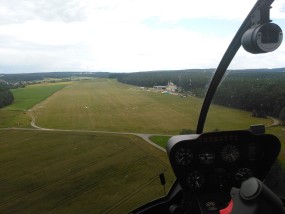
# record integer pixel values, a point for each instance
(87, 106)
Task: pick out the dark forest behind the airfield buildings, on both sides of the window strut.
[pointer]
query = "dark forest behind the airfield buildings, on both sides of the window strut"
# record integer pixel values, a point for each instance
(259, 91)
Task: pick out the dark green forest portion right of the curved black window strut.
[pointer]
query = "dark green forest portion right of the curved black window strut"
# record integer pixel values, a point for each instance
(262, 93)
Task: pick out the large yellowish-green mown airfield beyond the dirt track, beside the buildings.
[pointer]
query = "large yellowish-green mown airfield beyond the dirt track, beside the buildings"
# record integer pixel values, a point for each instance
(107, 105)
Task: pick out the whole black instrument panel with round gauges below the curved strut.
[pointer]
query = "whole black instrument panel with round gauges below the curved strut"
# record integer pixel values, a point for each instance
(217, 161)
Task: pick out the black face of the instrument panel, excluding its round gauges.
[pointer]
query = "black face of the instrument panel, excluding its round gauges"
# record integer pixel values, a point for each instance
(268, 148)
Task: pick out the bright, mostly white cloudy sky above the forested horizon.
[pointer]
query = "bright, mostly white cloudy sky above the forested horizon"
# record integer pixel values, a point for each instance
(126, 35)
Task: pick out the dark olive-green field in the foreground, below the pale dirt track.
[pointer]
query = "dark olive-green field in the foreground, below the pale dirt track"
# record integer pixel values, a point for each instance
(71, 172)
